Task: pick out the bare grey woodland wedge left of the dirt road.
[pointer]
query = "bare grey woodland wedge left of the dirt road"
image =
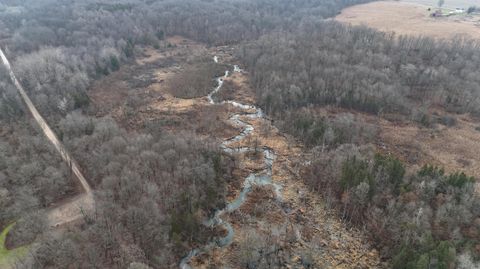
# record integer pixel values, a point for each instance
(32, 175)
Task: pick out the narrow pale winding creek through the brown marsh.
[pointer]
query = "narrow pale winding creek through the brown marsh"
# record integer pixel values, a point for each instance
(262, 178)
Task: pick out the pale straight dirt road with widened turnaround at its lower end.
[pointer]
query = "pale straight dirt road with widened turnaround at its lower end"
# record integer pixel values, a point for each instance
(74, 209)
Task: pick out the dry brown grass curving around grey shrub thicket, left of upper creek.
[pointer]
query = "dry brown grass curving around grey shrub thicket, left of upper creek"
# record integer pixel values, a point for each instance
(113, 94)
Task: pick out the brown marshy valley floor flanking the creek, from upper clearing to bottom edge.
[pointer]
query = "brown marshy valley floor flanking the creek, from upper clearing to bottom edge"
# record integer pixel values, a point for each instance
(301, 215)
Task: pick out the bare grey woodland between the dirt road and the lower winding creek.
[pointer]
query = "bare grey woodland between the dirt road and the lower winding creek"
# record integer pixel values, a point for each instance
(152, 193)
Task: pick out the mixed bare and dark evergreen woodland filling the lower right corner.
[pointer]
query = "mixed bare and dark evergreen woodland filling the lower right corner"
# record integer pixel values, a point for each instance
(423, 219)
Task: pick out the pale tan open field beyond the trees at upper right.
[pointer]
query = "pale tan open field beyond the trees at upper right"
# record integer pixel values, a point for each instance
(410, 19)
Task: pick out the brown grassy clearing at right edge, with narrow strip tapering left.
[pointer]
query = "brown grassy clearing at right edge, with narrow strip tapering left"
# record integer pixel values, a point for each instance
(453, 147)
